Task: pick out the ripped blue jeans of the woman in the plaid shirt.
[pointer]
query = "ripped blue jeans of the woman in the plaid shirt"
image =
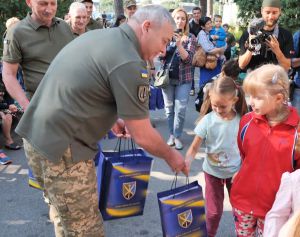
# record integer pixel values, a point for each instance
(176, 98)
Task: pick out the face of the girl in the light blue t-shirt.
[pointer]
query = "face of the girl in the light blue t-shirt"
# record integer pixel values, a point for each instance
(222, 104)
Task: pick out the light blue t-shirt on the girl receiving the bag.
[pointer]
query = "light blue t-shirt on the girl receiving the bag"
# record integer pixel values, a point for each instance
(220, 137)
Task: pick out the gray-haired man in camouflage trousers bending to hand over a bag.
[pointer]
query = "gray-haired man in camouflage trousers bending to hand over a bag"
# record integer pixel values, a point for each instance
(79, 101)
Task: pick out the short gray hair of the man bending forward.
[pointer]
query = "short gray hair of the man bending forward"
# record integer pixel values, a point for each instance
(154, 13)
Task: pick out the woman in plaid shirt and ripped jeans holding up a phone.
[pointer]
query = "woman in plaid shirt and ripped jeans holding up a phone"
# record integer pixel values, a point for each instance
(176, 94)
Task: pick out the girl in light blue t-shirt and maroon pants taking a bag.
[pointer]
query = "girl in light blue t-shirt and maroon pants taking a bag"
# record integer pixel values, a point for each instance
(218, 129)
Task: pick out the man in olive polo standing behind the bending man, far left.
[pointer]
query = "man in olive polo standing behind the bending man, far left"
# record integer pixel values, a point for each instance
(33, 44)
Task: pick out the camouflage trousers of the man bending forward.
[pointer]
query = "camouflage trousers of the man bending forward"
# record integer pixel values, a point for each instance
(72, 190)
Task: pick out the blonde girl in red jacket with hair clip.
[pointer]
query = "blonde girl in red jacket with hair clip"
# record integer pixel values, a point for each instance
(267, 140)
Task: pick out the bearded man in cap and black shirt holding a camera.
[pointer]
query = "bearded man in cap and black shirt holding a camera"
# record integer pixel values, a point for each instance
(277, 47)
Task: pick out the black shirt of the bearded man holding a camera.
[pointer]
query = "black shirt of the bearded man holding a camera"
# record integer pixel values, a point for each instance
(285, 40)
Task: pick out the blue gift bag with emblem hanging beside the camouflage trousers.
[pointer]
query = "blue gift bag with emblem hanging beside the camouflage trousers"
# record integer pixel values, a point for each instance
(123, 177)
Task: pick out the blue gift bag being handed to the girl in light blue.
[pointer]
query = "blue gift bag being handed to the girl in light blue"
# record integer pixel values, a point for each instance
(182, 211)
